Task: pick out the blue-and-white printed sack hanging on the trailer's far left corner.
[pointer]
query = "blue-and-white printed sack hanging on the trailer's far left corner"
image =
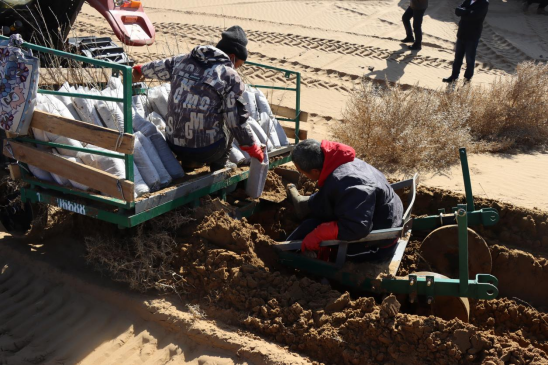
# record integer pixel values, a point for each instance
(19, 73)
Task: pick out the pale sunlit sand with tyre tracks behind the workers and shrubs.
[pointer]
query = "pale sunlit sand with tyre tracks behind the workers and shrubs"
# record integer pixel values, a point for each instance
(336, 43)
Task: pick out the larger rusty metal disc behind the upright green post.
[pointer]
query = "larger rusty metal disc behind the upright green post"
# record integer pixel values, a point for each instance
(440, 250)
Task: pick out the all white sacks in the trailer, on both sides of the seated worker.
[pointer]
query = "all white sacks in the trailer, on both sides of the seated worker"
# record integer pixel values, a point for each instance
(155, 165)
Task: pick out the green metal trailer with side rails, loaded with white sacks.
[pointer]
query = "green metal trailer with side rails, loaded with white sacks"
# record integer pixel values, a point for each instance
(125, 211)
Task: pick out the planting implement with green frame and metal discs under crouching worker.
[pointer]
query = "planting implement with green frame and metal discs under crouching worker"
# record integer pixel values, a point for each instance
(458, 259)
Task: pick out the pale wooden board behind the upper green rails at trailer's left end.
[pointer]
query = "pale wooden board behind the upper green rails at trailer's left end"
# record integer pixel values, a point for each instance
(74, 76)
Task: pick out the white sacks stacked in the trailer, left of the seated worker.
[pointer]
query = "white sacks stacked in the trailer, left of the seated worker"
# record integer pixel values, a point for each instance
(155, 166)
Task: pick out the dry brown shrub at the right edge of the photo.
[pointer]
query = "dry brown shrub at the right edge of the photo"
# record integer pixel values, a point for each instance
(512, 112)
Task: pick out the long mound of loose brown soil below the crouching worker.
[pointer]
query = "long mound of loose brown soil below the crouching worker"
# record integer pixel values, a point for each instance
(327, 325)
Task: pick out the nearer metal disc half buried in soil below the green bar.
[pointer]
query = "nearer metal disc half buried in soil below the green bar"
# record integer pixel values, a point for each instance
(444, 307)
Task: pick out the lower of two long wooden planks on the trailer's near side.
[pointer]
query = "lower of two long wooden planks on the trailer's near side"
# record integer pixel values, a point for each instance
(92, 177)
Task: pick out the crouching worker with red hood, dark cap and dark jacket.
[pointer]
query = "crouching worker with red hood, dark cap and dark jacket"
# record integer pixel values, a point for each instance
(354, 199)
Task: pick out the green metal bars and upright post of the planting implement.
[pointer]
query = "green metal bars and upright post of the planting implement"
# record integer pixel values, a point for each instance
(483, 286)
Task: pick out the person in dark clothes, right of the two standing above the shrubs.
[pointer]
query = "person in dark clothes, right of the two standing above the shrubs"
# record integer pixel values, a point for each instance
(472, 13)
